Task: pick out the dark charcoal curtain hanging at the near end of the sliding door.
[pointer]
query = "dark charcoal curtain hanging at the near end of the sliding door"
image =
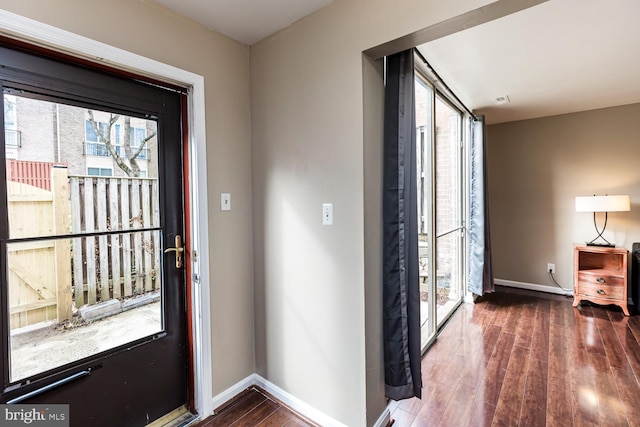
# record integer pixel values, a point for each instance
(401, 293)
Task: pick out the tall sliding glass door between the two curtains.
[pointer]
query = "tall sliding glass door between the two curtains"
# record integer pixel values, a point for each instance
(440, 207)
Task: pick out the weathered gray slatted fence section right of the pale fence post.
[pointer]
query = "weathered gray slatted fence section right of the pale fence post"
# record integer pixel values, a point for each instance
(117, 265)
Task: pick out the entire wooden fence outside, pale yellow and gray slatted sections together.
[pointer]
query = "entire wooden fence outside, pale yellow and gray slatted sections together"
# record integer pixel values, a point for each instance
(47, 277)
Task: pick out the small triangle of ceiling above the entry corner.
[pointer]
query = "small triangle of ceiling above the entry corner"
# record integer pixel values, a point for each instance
(245, 21)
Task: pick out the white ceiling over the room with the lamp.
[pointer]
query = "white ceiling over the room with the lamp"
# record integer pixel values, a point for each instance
(558, 57)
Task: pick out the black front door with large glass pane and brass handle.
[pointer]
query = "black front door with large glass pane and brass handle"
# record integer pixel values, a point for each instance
(92, 289)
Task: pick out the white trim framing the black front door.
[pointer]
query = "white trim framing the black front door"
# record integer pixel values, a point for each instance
(35, 32)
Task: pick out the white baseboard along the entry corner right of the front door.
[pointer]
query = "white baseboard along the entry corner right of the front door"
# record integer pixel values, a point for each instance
(288, 399)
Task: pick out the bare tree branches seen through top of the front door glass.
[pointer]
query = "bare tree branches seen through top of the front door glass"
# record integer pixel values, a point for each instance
(131, 153)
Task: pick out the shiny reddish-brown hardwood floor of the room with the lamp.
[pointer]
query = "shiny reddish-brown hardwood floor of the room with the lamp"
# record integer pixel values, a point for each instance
(527, 359)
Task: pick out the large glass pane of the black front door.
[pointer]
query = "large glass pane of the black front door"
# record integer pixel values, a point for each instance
(74, 253)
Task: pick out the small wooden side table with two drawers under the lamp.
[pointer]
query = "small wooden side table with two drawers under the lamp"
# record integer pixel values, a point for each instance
(600, 276)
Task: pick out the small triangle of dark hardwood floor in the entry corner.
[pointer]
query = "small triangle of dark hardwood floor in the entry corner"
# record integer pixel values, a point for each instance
(254, 408)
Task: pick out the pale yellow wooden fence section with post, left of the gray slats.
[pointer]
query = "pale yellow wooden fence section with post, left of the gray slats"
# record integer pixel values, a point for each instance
(39, 272)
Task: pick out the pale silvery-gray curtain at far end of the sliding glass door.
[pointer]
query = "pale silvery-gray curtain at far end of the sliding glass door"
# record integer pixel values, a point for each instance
(480, 277)
